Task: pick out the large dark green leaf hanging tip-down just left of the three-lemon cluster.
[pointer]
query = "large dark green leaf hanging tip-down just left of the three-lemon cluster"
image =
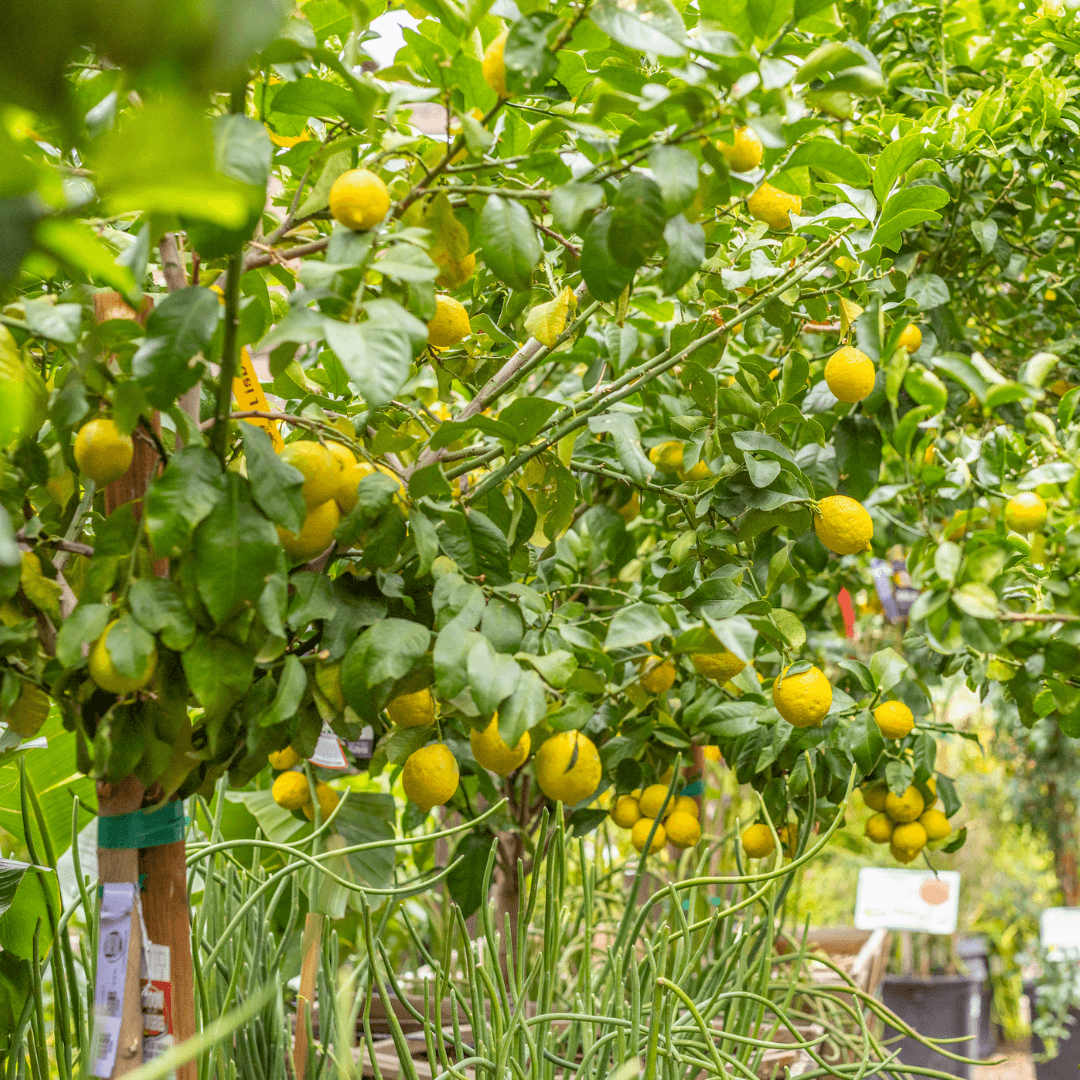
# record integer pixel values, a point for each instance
(236, 550)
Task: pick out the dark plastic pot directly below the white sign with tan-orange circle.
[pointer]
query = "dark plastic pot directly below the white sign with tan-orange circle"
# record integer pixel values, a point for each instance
(942, 1007)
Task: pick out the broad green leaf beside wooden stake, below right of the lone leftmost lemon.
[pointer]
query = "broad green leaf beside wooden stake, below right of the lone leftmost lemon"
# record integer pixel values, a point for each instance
(182, 497)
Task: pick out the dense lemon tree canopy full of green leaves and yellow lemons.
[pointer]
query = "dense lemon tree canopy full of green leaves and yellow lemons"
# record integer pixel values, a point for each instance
(573, 417)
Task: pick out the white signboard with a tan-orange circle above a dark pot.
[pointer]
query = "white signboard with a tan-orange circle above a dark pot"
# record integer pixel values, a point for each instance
(908, 900)
